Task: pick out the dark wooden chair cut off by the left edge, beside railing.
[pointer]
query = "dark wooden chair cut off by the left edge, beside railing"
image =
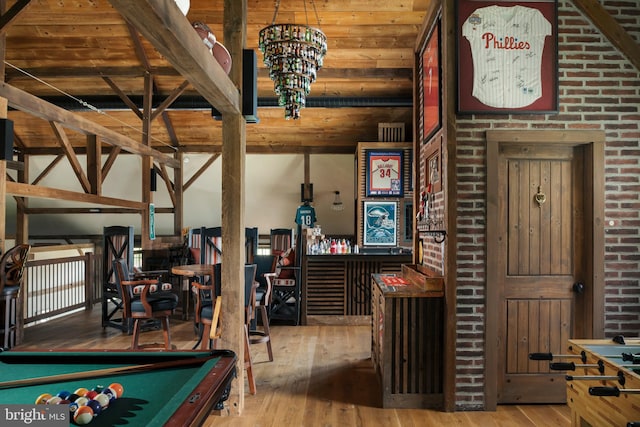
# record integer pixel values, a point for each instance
(11, 276)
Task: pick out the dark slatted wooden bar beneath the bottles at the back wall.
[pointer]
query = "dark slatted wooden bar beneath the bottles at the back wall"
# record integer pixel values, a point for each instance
(337, 288)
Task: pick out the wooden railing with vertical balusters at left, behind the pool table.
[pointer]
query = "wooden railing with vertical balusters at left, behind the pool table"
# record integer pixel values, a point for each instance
(57, 286)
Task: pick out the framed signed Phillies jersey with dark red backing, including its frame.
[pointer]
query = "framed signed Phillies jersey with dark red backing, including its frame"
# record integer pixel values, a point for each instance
(507, 56)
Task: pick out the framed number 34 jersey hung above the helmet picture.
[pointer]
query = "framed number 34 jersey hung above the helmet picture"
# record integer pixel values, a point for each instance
(384, 172)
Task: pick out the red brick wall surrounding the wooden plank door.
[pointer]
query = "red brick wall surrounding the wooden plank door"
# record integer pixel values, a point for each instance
(599, 89)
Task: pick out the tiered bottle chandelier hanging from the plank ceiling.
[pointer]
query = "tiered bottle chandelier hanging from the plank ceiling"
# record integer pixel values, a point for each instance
(293, 54)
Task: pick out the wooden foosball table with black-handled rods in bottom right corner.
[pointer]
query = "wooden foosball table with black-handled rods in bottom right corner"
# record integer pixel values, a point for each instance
(603, 381)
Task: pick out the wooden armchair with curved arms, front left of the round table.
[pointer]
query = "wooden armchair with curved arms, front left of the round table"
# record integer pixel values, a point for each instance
(142, 300)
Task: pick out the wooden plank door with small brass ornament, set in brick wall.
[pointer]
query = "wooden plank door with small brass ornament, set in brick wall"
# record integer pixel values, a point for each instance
(540, 199)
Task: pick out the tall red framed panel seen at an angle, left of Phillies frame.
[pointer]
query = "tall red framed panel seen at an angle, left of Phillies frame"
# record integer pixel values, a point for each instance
(431, 84)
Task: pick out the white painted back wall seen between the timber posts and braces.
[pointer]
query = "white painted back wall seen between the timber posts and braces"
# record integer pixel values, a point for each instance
(272, 194)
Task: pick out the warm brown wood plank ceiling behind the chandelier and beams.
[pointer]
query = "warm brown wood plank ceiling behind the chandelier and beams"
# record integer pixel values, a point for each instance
(72, 52)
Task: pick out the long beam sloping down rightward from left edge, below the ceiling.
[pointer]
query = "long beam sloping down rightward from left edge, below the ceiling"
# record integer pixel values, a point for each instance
(28, 103)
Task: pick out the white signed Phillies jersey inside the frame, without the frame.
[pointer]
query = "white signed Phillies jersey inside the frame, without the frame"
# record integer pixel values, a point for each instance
(506, 47)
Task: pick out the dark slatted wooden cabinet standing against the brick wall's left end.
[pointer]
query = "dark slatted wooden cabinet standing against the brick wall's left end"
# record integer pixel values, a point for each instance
(407, 343)
